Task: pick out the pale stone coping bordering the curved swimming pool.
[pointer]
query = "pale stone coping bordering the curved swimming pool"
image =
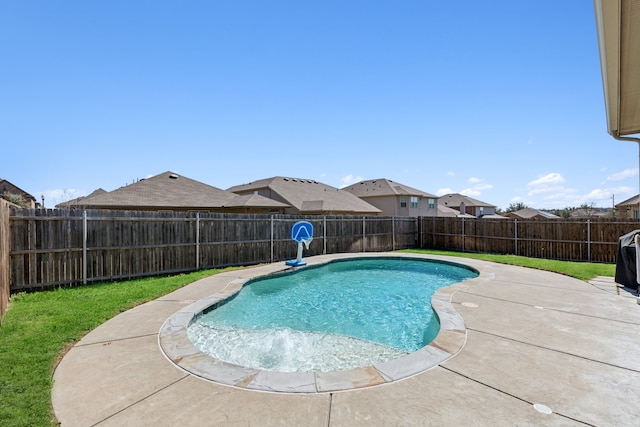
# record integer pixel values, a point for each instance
(178, 348)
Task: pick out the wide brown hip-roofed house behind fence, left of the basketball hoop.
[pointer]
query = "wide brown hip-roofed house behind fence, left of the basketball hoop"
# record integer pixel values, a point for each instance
(169, 191)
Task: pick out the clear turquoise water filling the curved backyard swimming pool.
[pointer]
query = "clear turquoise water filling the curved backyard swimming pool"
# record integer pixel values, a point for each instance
(337, 316)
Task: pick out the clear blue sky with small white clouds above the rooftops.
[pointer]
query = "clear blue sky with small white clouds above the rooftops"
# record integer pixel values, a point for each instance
(500, 100)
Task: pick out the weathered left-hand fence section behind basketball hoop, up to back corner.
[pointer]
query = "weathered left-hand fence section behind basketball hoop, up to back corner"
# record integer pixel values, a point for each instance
(70, 247)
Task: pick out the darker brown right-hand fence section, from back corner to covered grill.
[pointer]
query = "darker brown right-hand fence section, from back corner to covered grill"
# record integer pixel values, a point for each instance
(569, 240)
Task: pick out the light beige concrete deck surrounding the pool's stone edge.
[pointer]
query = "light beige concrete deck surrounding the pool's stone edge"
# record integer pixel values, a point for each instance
(540, 349)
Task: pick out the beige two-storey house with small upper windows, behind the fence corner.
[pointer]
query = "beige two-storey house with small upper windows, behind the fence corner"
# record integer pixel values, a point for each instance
(395, 199)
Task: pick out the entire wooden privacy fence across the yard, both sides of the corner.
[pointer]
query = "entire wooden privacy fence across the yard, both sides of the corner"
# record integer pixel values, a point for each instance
(67, 247)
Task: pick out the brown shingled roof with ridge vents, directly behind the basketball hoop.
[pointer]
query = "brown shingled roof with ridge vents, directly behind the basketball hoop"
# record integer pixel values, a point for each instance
(308, 196)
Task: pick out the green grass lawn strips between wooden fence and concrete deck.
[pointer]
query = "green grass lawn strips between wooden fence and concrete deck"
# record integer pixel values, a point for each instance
(39, 326)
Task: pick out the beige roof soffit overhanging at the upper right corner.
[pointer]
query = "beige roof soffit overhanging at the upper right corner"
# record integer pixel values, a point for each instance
(618, 26)
